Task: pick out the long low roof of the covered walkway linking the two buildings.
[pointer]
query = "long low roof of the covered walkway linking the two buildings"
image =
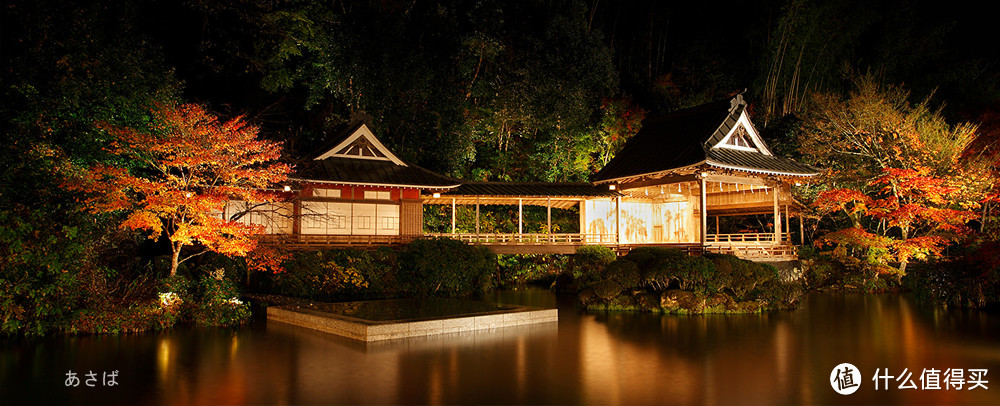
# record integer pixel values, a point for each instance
(532, 189)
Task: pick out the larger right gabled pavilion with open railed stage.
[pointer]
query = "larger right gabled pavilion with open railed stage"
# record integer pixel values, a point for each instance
(684, 169)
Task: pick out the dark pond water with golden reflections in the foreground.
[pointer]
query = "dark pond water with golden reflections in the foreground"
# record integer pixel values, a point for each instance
(594, 359)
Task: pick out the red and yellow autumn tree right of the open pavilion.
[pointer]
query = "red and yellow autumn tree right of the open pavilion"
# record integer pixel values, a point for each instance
(896, 173)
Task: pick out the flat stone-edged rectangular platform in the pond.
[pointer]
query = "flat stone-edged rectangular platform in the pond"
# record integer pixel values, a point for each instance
(377, 320)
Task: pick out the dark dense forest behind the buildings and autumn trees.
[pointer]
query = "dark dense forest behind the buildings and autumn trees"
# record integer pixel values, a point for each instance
(476, 89)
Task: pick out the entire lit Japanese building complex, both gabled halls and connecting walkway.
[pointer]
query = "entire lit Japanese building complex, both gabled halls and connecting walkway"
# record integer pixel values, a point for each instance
(669, 185)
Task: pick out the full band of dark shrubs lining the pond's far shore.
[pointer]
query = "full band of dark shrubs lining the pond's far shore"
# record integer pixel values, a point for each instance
(212, 291)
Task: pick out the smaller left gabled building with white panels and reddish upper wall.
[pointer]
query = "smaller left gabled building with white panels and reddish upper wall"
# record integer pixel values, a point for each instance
(356, 191)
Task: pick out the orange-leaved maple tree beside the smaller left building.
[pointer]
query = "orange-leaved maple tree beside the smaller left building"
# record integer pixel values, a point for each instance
(191, 165)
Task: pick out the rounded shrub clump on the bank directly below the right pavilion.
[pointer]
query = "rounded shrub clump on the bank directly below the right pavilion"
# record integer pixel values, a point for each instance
(666, 280)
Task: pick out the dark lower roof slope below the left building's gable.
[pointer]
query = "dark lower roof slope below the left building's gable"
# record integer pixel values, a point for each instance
(372, 172)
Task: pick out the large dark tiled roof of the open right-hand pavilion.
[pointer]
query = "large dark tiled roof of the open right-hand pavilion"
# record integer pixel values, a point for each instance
(685, 138)
